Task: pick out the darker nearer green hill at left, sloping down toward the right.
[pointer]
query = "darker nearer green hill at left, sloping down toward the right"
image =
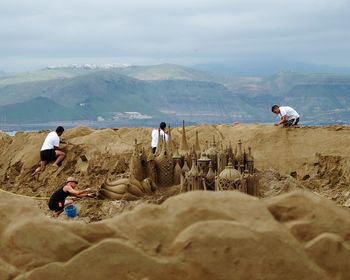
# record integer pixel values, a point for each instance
(105, 93)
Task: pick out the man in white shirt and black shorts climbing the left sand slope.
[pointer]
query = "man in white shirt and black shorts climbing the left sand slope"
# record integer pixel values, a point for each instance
(50, 150)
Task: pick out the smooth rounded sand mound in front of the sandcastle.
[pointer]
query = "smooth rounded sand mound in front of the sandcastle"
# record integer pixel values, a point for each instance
(197, 235)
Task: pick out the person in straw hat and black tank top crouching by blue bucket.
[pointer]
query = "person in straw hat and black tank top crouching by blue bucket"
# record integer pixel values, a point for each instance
(58, 199)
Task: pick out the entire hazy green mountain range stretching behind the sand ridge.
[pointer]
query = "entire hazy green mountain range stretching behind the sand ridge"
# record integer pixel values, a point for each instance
(168, 92)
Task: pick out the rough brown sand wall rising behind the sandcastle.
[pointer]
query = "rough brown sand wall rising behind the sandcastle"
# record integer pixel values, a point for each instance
(108, 150)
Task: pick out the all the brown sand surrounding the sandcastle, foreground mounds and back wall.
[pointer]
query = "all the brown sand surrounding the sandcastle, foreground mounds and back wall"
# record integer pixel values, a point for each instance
(298, 229)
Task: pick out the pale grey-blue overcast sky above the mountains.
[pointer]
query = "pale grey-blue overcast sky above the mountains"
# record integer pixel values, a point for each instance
(37, 33)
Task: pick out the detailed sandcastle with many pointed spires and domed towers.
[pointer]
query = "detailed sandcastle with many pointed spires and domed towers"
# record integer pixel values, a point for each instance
(214, 168)
